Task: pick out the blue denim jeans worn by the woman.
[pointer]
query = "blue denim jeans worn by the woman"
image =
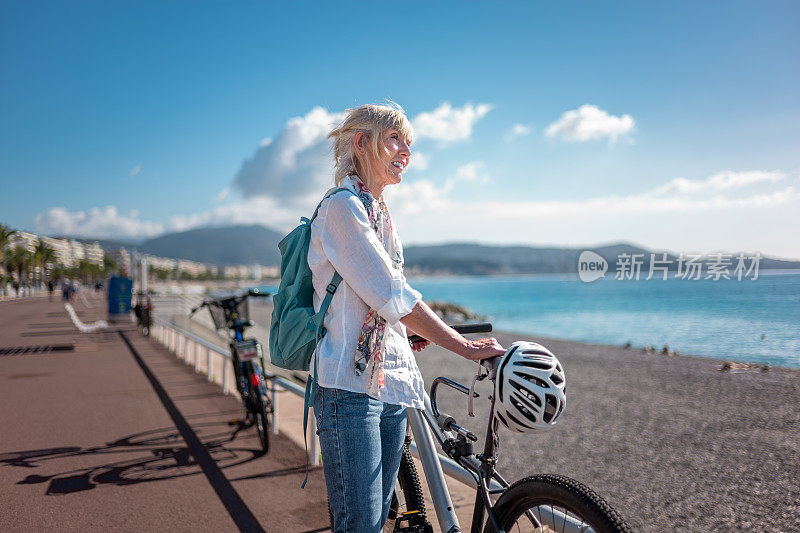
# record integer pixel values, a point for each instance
(362, 441)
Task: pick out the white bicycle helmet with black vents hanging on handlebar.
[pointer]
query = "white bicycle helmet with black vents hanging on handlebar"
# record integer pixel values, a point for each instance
(530, 388)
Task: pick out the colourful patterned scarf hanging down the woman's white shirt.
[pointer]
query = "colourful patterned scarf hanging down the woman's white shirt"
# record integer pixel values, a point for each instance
(369, 352)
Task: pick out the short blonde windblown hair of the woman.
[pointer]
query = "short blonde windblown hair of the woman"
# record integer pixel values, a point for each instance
(372, 120)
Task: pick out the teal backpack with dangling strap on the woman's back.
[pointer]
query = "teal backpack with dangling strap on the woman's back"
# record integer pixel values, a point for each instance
(295, 329)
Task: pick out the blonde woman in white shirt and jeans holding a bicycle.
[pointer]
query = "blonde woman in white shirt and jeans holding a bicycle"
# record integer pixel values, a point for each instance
(366, 371)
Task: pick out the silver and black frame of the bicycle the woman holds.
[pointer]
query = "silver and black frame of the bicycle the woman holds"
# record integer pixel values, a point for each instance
(478, 471)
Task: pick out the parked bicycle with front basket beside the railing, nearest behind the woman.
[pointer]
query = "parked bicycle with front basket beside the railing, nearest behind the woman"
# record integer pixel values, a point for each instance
(232, 313)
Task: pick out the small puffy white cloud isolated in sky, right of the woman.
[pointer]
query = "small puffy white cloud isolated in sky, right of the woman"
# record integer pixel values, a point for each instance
(589, 122)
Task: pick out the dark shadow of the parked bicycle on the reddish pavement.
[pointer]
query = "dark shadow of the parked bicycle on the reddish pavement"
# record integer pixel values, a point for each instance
(161, 454)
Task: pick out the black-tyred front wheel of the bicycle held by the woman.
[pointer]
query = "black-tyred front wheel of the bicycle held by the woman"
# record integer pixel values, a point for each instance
(554, 503)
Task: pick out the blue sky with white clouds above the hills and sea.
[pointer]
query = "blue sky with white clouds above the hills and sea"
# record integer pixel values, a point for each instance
(672, 125)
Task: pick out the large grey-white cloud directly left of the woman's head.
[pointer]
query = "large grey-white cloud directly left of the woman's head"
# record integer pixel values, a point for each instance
(296, 165)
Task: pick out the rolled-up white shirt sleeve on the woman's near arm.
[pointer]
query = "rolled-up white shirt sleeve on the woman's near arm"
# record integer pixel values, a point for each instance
(354, 250)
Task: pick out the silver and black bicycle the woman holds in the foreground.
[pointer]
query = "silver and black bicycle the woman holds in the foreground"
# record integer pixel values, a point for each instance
(541, 502)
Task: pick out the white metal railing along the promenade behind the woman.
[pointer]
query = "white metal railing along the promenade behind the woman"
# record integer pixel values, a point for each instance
(215, 362)
